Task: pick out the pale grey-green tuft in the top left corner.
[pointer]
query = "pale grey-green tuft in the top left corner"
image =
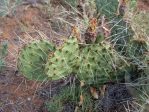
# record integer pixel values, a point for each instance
(7, 7)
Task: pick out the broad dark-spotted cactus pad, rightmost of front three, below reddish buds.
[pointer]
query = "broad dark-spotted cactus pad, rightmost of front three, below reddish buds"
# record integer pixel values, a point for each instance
(98, 64)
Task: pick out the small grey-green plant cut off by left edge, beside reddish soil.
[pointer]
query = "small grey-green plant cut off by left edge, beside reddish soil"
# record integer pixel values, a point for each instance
(3, 53)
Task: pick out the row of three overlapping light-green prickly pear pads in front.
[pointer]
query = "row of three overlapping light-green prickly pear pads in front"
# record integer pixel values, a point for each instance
(39, 61)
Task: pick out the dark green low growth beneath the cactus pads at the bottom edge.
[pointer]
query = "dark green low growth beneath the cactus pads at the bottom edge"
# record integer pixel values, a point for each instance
(70, 95)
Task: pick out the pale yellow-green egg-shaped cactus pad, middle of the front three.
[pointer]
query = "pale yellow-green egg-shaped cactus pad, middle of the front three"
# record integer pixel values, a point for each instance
(61, 63)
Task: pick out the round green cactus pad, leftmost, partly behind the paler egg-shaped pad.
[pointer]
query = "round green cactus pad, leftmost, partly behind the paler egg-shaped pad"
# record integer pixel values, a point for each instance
(32, 59)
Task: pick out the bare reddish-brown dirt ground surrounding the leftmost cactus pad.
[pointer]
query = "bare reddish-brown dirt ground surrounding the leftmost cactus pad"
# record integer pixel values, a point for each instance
(17, 94)
